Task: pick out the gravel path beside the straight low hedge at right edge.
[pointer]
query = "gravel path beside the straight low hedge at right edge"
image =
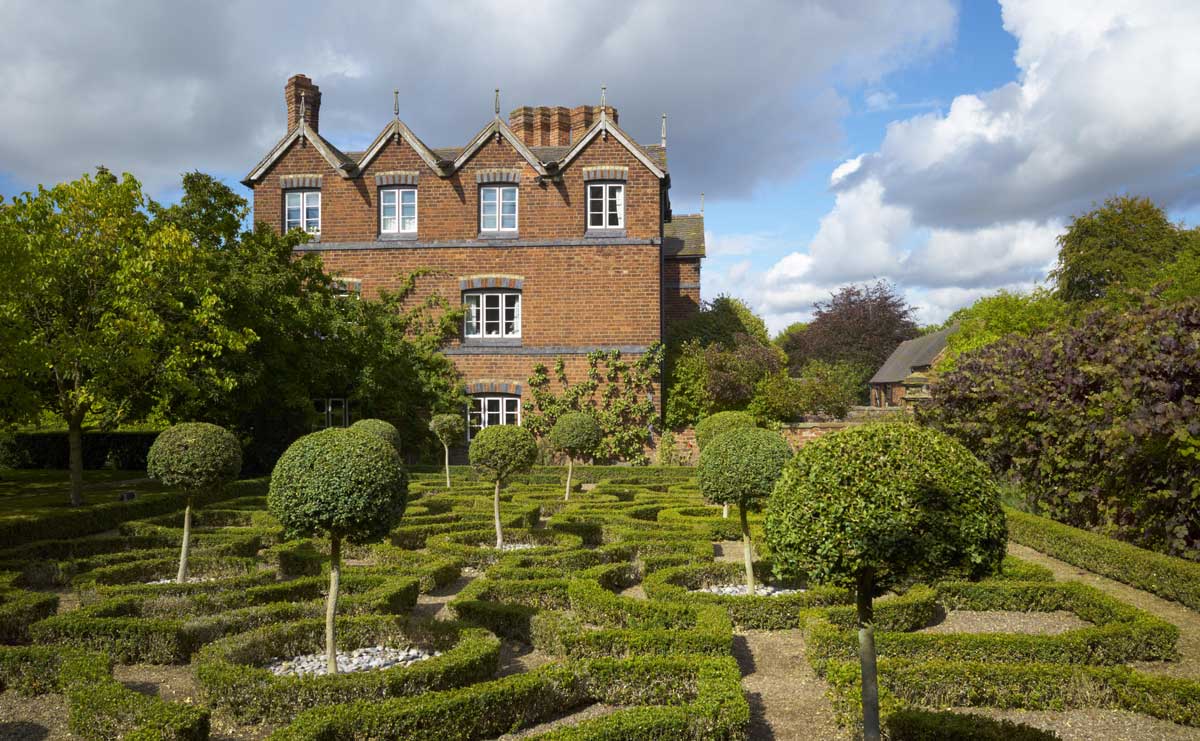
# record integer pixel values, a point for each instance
(1187, 620)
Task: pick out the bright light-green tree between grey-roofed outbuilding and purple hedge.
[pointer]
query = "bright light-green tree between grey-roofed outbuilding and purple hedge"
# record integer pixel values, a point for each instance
(994, 317)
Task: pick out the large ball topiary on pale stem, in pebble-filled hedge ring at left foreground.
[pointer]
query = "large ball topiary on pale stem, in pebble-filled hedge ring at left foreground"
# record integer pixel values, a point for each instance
(345, 484)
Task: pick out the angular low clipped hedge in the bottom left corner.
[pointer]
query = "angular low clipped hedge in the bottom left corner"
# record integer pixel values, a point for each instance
(100, 708)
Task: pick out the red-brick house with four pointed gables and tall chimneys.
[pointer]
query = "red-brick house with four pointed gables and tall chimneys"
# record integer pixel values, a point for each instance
(554, 230)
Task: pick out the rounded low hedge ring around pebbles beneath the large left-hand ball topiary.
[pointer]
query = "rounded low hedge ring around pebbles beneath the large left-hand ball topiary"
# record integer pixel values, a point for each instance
(232, 678)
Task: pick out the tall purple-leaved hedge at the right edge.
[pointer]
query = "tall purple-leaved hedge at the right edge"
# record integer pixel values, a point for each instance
(1100, 421)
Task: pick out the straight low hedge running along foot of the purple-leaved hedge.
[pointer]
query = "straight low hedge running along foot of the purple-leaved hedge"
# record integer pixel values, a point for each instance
(1161, 575)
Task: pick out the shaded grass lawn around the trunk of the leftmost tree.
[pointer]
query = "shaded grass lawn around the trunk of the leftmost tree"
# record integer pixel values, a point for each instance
(40, 492)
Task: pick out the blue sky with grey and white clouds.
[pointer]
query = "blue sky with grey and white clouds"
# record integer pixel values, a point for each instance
(935, 144)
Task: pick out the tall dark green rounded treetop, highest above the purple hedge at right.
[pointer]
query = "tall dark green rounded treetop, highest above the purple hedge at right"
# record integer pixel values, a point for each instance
(1117, 249)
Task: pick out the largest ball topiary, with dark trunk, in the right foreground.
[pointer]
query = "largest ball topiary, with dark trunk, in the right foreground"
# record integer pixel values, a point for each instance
(877, 505)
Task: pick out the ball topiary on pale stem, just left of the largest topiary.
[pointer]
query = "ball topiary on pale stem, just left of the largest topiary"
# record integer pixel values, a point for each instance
(741, 467)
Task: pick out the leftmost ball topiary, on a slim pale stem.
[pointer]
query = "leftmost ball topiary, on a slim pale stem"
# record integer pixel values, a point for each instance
(194, 457)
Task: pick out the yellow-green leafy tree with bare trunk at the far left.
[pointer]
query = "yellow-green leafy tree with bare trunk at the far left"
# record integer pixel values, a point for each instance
(106, 309)
